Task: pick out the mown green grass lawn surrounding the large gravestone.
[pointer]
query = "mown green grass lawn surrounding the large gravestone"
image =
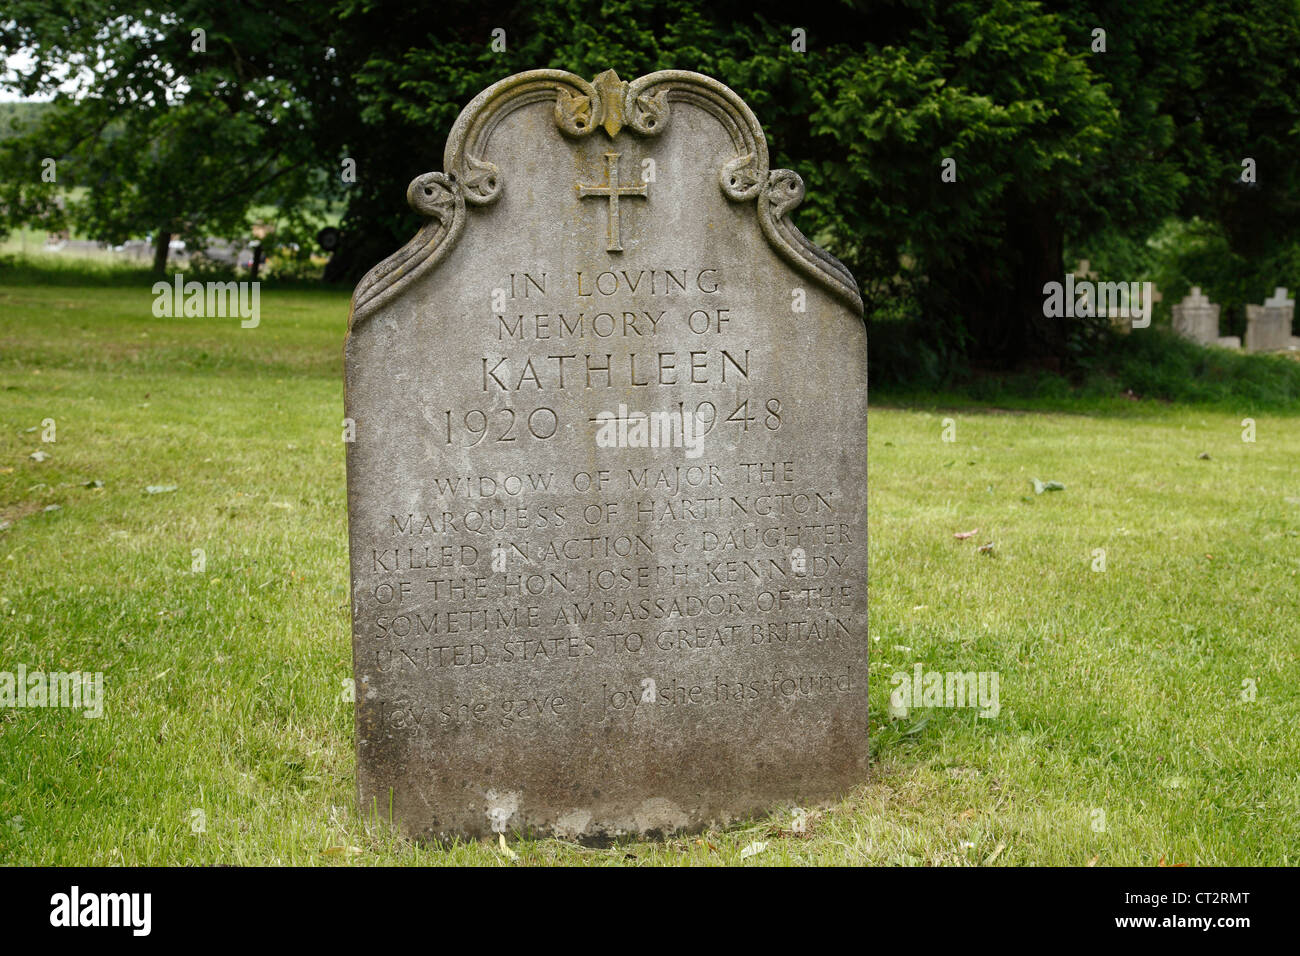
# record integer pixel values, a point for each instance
(1128, 730)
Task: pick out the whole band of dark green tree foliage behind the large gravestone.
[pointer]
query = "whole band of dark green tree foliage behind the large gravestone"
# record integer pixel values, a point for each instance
(1058, 145)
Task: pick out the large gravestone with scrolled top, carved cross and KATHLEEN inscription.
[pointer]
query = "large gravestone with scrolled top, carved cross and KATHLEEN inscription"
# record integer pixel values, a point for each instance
(608, 483)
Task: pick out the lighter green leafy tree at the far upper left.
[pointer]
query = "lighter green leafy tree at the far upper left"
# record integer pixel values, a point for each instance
(181, 123)
